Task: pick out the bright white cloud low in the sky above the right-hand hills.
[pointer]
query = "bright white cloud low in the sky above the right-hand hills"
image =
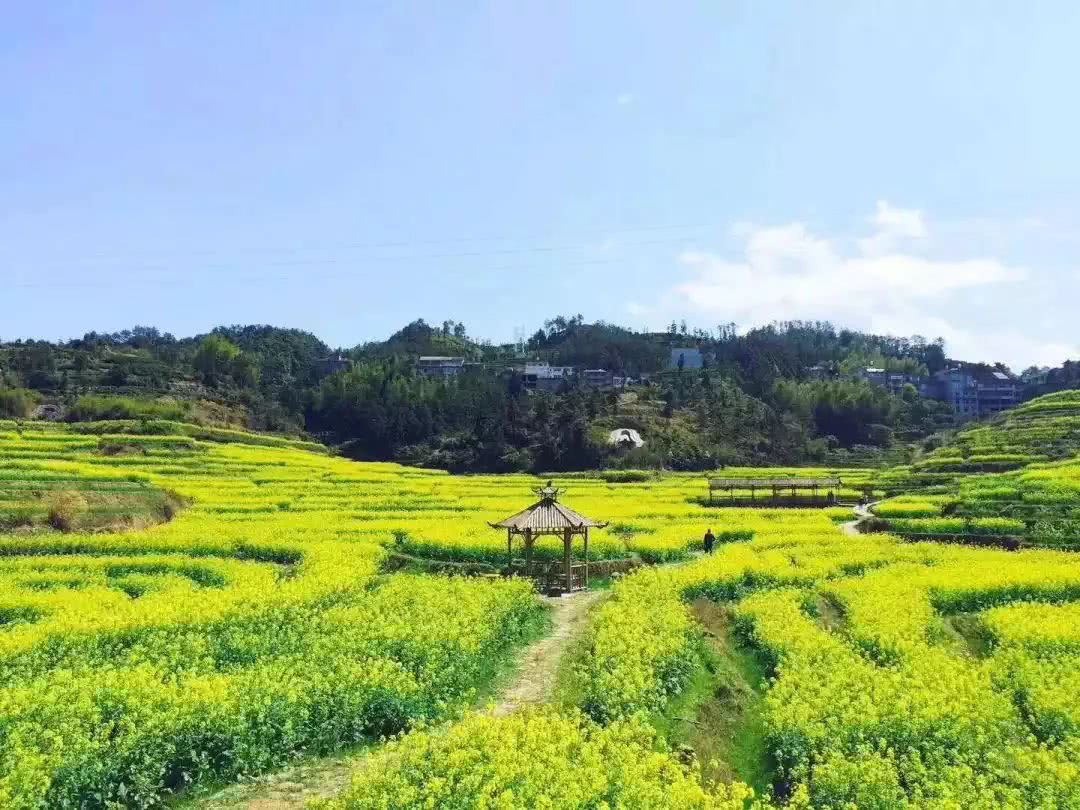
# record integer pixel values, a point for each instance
(881, 282)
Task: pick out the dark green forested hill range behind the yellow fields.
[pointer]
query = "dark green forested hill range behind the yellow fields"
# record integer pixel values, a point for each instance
(786, 394)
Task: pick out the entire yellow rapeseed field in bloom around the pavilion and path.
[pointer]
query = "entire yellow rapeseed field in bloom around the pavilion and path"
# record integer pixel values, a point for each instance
(256, 625)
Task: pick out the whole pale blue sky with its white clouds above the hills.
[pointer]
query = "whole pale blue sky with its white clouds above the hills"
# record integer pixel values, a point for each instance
(345, 168)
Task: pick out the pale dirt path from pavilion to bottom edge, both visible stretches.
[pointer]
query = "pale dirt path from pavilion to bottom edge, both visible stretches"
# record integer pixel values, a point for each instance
(533, 684)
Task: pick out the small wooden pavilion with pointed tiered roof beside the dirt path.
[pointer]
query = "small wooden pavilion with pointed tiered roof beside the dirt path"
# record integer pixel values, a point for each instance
(548, 517)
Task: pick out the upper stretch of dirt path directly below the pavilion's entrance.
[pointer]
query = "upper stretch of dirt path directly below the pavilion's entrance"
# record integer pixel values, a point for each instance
(539, 664)
